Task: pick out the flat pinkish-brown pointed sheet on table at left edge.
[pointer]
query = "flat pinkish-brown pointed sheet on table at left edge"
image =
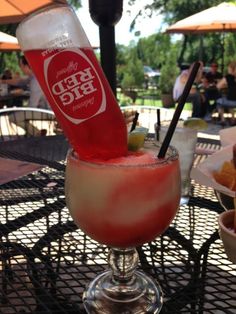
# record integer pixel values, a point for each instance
(11, 169)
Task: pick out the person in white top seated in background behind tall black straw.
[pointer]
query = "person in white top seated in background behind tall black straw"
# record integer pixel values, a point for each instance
(194, 96)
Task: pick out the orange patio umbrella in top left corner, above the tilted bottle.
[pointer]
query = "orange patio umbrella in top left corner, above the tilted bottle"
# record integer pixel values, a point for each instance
(13, 11)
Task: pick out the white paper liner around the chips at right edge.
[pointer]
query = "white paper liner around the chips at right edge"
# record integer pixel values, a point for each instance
(203, 172)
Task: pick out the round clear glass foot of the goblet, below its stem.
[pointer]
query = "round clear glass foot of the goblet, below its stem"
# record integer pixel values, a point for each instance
(140, 295)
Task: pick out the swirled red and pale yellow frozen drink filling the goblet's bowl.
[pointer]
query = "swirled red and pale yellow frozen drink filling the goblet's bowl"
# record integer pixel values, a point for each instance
(125, 201)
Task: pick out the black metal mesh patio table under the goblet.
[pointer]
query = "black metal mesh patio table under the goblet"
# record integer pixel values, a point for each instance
(46, 261)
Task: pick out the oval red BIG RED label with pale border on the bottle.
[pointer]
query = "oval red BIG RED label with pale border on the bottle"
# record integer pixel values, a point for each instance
(74, 85)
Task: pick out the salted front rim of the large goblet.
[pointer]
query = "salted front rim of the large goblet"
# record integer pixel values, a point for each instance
(172, 153)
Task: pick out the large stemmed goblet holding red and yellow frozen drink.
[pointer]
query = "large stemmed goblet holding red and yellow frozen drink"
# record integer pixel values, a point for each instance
(123, 203)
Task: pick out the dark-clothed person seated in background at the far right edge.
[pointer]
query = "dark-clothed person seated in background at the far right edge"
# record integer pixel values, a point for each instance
(228, 101)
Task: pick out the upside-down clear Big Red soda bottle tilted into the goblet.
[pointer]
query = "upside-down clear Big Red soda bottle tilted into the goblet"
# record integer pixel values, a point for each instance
(71, 77)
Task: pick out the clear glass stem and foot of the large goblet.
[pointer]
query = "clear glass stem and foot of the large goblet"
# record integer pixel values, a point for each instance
(122, 289)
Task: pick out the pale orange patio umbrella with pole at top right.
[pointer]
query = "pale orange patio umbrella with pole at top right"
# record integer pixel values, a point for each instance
(220, 18)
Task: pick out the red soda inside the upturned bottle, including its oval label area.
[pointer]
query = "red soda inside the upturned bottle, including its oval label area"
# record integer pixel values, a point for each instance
(82, 100)
